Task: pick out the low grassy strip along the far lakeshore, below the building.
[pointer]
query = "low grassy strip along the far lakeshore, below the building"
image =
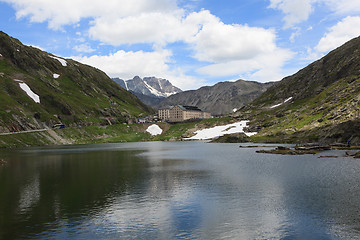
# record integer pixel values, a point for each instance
(108, 134)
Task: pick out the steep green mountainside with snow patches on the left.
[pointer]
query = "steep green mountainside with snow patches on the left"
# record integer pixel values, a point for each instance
(39, 89)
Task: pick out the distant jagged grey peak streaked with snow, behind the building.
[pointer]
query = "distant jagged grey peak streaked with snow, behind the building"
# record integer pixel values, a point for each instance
(150, 90)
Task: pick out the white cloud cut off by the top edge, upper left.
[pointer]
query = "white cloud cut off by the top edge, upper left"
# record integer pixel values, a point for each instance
(60, 13)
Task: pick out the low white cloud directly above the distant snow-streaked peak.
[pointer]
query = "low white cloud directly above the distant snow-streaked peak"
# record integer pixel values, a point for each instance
(126, 65)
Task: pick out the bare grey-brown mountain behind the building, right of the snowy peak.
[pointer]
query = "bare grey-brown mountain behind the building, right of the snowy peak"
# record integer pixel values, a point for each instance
(222, 98)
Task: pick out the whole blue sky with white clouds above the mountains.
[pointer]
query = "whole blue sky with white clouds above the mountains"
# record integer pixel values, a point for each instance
(191, 43)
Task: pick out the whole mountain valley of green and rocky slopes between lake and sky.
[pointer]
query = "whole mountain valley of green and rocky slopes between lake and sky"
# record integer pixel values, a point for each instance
(319, 104)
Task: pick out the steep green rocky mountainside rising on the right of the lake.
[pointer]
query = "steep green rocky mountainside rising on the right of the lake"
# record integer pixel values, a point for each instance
(320, 103)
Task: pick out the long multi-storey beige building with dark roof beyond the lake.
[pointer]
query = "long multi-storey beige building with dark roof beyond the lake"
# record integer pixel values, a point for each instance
(181, 113)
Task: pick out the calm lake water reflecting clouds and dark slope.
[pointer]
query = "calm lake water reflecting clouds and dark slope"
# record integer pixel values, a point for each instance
(176, 190)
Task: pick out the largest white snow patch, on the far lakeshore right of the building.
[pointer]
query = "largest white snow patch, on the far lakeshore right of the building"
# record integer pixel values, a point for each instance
(219, 131)
